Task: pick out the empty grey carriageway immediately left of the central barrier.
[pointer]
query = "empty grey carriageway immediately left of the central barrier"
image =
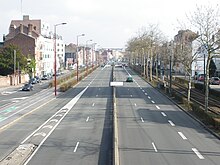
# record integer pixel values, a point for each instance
(85, 135)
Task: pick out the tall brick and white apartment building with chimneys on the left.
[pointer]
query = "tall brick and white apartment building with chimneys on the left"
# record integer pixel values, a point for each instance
(36, 42)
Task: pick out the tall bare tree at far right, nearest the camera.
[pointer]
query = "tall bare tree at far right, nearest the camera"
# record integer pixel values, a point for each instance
(206, 21)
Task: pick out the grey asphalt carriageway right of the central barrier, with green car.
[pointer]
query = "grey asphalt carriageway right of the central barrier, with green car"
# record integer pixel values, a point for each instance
(152, 130)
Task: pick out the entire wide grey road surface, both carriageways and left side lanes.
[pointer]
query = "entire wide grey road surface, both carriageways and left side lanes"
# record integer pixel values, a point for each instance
(76, 126)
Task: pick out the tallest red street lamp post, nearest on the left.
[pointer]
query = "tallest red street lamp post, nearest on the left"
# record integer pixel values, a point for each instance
(55, 61)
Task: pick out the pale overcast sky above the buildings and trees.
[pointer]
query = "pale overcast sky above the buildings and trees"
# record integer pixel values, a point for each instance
(109, 23)
